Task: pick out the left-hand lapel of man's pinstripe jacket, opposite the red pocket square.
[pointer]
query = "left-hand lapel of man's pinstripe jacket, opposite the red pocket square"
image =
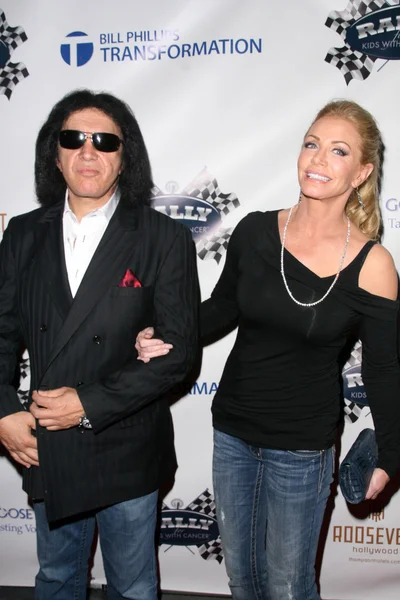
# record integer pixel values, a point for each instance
(50, 258)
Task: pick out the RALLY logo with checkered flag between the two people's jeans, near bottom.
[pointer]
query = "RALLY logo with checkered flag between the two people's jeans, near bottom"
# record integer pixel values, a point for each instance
(192, 526)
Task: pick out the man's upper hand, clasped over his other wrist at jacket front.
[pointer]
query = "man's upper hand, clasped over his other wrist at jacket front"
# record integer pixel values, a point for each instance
(57, 409)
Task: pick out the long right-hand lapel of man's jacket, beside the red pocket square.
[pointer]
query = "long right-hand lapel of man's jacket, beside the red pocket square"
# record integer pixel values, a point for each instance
(105, 270)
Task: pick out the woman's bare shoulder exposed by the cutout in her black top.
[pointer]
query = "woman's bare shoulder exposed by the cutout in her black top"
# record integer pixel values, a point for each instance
(378, 274)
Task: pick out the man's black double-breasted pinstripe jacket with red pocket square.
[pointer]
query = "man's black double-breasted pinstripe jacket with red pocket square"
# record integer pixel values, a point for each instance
(88, 343)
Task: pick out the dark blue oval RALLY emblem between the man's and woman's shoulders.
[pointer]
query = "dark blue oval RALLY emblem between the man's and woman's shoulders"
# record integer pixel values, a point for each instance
(199, 216)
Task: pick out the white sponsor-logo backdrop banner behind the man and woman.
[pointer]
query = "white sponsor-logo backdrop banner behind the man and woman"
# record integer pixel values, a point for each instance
(223, 91)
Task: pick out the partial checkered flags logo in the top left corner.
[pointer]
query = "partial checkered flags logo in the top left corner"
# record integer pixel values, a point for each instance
(10, 73)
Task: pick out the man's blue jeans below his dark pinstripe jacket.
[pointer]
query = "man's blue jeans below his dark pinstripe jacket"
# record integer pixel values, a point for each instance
(126, 532)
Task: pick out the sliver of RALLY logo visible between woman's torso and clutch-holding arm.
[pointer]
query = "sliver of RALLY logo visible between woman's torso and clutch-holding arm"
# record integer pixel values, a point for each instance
(355, 397)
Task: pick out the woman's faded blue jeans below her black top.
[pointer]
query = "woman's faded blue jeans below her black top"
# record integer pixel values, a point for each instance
(270, 505)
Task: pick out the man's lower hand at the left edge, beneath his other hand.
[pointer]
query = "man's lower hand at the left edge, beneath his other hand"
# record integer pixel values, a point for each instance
(16, 435)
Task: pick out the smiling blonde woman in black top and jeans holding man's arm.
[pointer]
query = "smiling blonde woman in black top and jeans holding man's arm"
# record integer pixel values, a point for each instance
(300, 282)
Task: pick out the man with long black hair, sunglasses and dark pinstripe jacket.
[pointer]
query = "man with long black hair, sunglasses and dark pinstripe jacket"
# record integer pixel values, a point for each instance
(79, 277)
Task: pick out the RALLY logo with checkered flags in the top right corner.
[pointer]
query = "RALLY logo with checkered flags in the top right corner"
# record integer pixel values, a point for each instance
(370, 30)
